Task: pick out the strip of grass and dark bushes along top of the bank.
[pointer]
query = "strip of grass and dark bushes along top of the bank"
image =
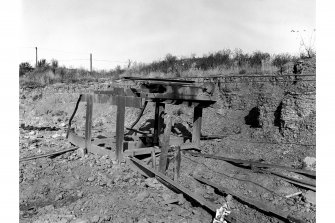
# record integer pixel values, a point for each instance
(223, 62)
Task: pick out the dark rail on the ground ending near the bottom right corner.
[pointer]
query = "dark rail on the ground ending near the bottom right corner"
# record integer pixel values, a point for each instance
(263, 207)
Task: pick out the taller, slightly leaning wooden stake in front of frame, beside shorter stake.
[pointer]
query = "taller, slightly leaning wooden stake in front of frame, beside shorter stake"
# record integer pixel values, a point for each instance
(165, 145)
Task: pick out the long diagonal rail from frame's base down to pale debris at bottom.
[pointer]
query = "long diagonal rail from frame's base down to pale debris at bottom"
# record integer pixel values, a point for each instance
(149, 172)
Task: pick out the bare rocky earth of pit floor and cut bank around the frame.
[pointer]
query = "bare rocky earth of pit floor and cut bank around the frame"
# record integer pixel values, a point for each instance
(70, 188)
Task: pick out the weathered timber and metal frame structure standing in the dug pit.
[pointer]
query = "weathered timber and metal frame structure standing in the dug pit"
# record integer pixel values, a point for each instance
(159, 91)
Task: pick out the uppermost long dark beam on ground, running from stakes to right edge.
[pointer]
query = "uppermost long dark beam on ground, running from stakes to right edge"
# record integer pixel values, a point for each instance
(257, 164)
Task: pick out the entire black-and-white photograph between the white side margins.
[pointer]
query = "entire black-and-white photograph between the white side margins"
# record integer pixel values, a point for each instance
(181, 111)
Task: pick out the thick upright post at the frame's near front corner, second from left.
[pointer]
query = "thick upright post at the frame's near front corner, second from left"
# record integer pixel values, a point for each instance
(120, 113)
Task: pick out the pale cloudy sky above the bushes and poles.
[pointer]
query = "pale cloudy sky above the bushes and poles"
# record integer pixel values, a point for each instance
(116, 31)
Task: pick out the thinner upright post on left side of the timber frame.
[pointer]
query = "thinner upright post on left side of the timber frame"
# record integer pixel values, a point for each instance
(88, 125)
